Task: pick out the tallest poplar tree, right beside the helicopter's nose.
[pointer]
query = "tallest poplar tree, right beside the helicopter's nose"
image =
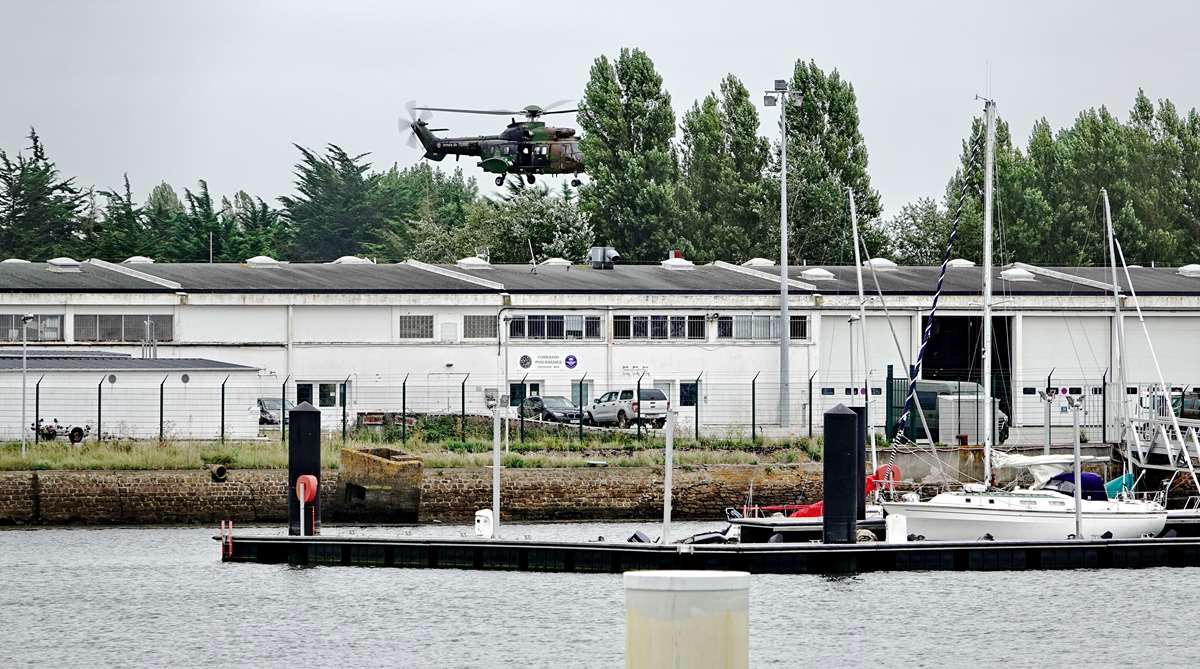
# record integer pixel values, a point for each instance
(628, 124)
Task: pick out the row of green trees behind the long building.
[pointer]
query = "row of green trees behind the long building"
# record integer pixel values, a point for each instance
(706, 184)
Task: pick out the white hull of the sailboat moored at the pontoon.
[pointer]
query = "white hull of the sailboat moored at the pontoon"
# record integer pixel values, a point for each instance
(1006, 517)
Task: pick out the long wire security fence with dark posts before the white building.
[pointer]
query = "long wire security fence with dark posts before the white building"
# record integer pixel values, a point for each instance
(217, 408)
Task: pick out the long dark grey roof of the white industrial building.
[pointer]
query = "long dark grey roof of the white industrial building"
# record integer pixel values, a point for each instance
(704, 280)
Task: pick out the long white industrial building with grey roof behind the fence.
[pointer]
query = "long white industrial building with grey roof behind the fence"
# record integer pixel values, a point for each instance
(700, 333)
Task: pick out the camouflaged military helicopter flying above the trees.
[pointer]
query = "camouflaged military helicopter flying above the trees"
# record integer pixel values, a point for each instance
(524, 148)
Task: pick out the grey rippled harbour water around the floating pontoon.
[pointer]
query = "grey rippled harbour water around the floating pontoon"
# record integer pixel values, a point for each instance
(160, 598)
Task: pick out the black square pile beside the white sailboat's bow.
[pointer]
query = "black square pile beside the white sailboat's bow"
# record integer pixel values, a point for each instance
(841, 471)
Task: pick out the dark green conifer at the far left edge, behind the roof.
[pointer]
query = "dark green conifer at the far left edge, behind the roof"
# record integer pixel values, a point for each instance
(39, 209)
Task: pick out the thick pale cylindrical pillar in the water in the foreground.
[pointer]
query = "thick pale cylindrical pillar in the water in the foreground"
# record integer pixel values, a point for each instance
(685, 619)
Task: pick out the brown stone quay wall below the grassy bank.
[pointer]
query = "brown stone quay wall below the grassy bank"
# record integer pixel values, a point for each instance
(117, 498)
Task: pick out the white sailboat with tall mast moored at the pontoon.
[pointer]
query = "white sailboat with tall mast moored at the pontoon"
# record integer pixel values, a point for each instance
(1059, 507)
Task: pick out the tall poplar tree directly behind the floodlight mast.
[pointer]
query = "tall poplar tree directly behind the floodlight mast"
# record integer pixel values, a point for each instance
(827, 155)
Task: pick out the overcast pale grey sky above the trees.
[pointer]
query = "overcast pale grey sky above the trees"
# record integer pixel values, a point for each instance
(219, 91)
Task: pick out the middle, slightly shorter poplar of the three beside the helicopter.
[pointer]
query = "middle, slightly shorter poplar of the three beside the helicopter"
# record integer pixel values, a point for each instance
(727, 195)
